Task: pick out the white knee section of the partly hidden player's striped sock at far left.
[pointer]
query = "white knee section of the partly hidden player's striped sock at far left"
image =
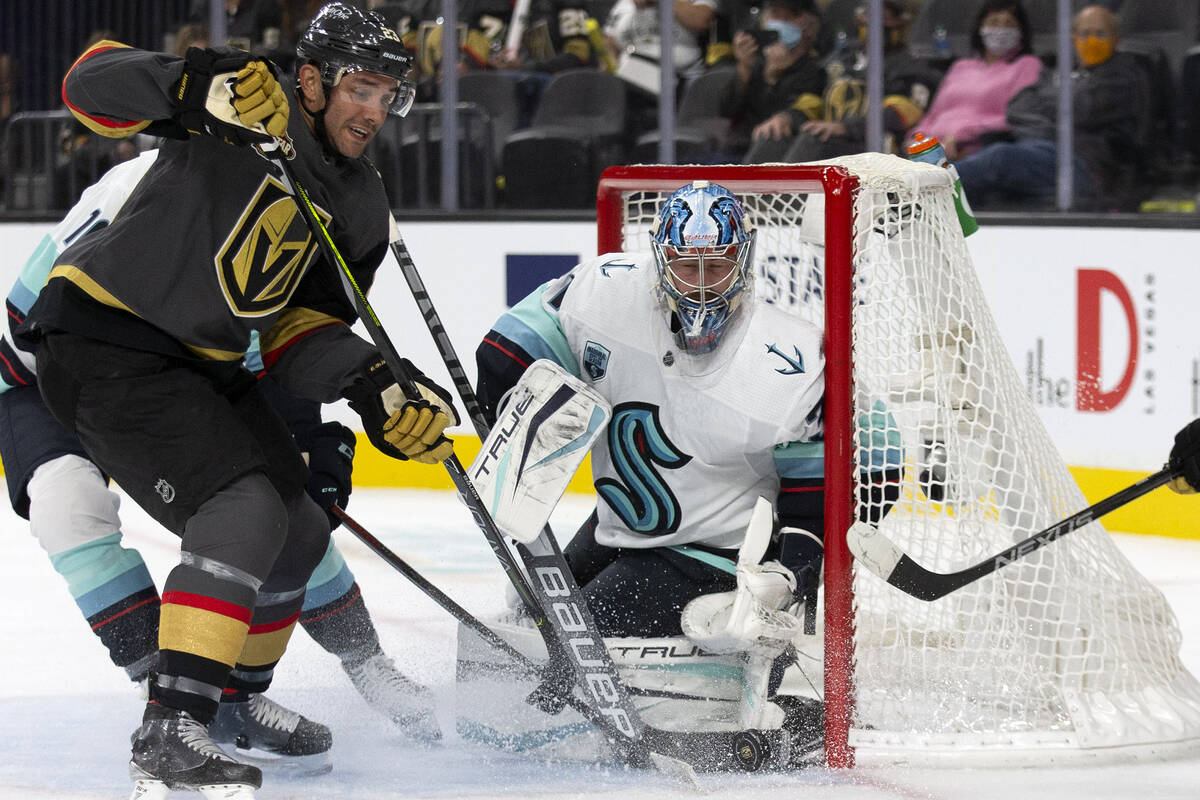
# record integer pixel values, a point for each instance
(70, 504)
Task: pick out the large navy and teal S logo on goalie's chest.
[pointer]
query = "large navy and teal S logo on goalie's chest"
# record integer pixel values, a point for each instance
(643, 500)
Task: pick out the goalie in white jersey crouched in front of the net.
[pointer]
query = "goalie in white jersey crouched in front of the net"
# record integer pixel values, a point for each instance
(717, 401)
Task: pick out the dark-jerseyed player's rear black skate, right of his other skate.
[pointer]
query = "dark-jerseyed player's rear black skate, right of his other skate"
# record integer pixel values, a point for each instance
(274, 737)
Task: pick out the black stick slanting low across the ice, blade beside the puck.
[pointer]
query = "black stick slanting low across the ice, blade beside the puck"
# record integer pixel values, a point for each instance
(709, 751)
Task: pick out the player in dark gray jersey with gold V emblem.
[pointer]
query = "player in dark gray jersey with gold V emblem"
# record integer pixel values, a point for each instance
(142, 328)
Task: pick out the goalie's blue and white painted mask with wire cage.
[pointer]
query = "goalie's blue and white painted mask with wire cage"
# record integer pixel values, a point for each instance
(705, 255)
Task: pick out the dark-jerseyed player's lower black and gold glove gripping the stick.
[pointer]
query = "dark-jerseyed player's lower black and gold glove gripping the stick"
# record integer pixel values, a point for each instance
(400, 428)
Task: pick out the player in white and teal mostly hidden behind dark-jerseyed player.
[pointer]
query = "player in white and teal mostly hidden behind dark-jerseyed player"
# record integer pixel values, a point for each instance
(73, 514)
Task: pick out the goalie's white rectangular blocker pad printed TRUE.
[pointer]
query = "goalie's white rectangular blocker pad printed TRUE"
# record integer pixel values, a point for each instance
(541, 438)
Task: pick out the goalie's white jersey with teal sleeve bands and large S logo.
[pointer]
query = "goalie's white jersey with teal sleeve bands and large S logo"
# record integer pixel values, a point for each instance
(694, 441)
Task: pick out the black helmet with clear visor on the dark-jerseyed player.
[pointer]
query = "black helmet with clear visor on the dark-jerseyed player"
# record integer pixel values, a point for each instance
(343, 39)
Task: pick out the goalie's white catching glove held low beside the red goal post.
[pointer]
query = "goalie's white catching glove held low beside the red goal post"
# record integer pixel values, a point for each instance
(754, 617)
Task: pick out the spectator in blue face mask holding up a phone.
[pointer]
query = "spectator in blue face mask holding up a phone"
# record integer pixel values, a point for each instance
(776, 88)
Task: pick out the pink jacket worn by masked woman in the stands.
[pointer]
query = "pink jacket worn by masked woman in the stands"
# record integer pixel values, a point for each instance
(973, 99)
